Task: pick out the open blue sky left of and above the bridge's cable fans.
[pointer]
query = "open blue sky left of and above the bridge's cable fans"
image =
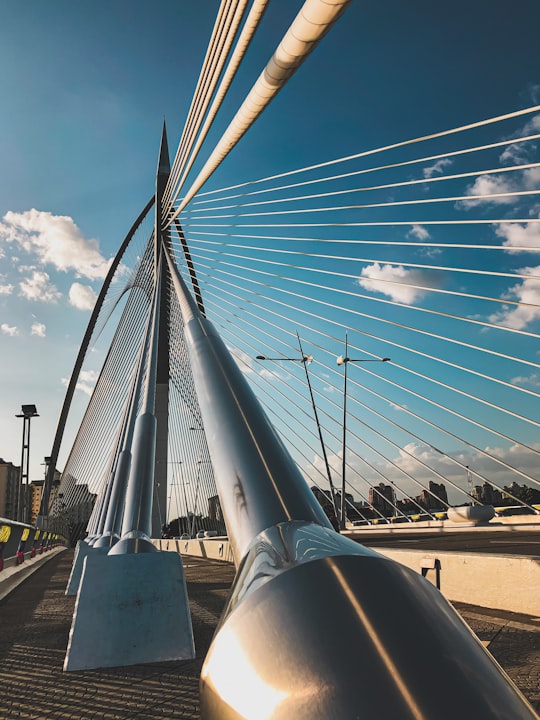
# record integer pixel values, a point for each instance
(84, 90)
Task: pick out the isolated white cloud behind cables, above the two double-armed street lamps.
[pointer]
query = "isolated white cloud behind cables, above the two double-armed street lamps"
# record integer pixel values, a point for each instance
(397, 282)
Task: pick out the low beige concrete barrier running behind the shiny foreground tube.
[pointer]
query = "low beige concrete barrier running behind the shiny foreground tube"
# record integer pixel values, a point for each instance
(499, 582)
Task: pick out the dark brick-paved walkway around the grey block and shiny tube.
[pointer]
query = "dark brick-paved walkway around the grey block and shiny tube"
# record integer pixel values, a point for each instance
(36, 617)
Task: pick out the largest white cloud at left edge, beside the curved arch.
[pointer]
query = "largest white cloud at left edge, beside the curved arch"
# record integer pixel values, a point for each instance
(55, 240)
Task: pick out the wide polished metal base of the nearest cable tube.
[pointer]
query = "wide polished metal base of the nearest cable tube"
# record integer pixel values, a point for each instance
(317, 629)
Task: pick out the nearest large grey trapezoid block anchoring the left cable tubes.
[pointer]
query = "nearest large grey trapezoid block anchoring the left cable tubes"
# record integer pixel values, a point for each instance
(130, 609)
